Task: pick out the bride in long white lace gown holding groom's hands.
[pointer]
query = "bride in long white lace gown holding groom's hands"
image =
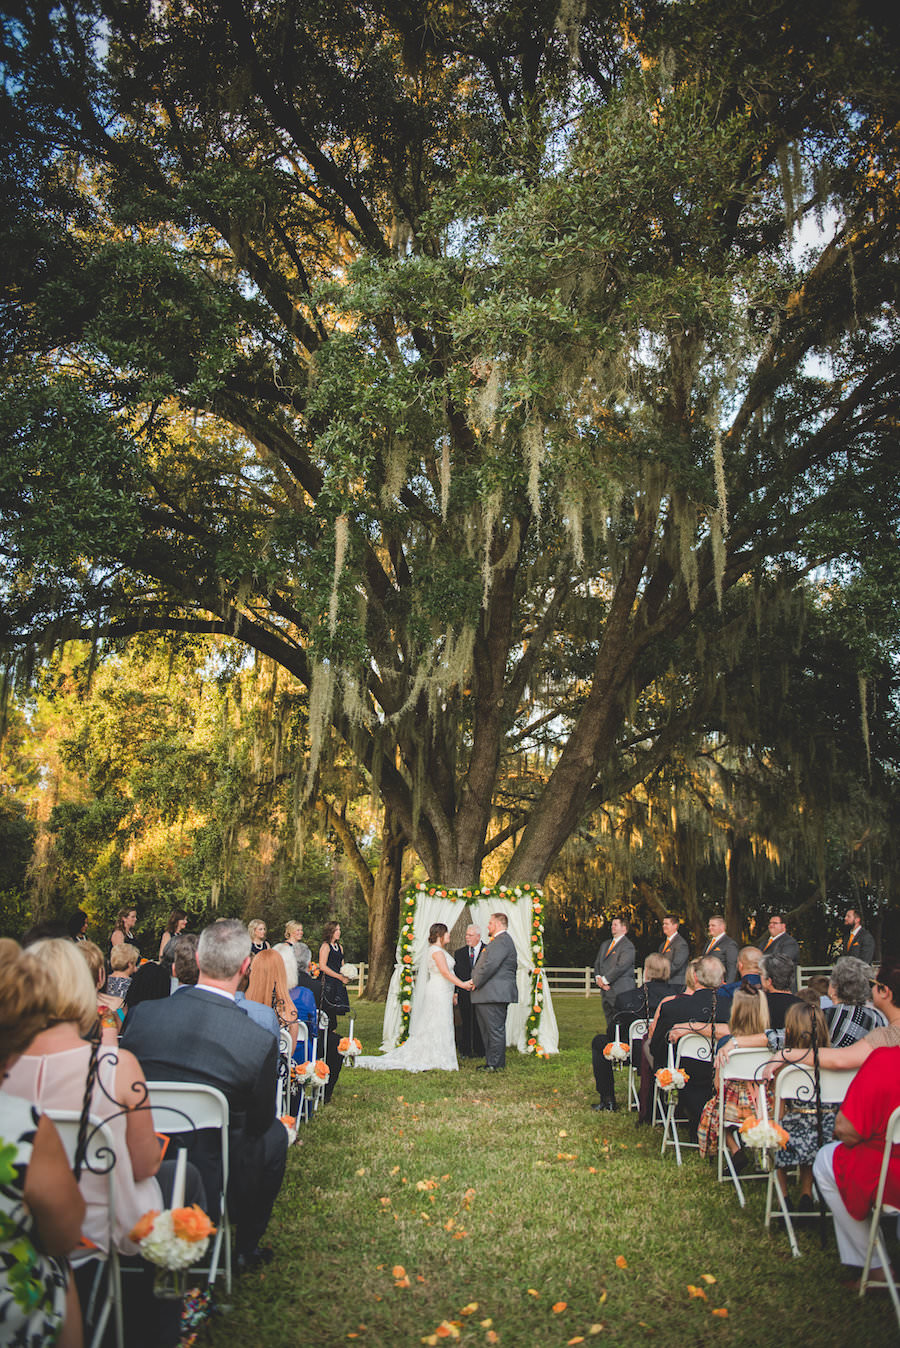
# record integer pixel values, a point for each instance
(432, 1041)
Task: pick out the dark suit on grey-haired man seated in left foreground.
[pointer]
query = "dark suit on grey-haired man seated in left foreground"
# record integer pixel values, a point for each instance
(204, 1037)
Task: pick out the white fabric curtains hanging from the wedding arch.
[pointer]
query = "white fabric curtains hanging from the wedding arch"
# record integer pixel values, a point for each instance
(435, 909)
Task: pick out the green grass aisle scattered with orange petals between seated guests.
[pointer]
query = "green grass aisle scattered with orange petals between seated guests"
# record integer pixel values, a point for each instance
(507, 1192)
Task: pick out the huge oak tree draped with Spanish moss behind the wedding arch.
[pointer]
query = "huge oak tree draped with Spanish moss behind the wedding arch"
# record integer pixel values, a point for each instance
(461, 359)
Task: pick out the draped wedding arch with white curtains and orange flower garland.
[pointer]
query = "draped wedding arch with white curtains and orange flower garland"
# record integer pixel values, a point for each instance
(532, 1022)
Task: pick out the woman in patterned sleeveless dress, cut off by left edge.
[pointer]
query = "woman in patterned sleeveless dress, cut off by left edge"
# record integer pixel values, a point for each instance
(41, 1208)
